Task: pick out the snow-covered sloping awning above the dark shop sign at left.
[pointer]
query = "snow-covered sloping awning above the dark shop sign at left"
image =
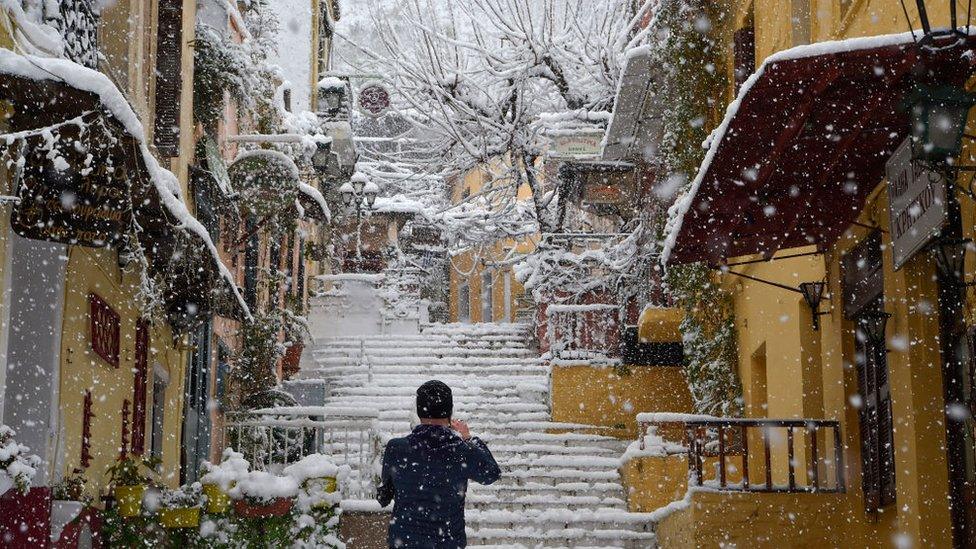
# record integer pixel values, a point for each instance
(49, 91)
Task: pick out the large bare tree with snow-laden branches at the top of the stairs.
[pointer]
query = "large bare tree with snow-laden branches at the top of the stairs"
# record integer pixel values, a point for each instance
(484, 81)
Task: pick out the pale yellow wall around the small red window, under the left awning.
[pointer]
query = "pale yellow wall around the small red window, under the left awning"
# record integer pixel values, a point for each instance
(94, 270)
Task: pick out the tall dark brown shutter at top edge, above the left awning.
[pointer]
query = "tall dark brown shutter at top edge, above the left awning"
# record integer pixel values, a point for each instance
(169, 37)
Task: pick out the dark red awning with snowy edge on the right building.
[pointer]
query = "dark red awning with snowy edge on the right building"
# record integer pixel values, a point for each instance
(804, 144)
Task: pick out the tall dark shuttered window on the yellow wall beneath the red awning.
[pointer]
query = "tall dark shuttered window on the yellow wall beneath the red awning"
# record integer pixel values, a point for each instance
(863, 296)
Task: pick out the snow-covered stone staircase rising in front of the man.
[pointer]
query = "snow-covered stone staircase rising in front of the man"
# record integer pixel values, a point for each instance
(560, 486)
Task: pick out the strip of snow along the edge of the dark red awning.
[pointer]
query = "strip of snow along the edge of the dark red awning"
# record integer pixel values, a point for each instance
(679, 209)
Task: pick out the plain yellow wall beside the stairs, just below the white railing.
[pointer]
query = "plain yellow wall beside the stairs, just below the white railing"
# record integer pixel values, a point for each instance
(602, 396)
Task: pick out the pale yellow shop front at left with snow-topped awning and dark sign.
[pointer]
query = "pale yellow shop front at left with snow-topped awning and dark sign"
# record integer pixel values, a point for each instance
(107, 272)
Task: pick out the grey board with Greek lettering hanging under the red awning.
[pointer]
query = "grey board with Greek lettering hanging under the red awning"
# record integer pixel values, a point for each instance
(916, 204)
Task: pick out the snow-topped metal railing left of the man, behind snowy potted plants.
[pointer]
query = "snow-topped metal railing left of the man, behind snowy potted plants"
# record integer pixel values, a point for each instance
(273, 438)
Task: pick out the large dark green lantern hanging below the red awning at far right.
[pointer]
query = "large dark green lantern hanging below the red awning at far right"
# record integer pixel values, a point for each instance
(938, 121)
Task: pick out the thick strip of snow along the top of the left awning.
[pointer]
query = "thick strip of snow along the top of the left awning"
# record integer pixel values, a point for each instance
(165, 182)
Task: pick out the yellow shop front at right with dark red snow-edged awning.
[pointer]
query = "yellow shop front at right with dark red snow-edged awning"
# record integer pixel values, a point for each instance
(836, 231)
